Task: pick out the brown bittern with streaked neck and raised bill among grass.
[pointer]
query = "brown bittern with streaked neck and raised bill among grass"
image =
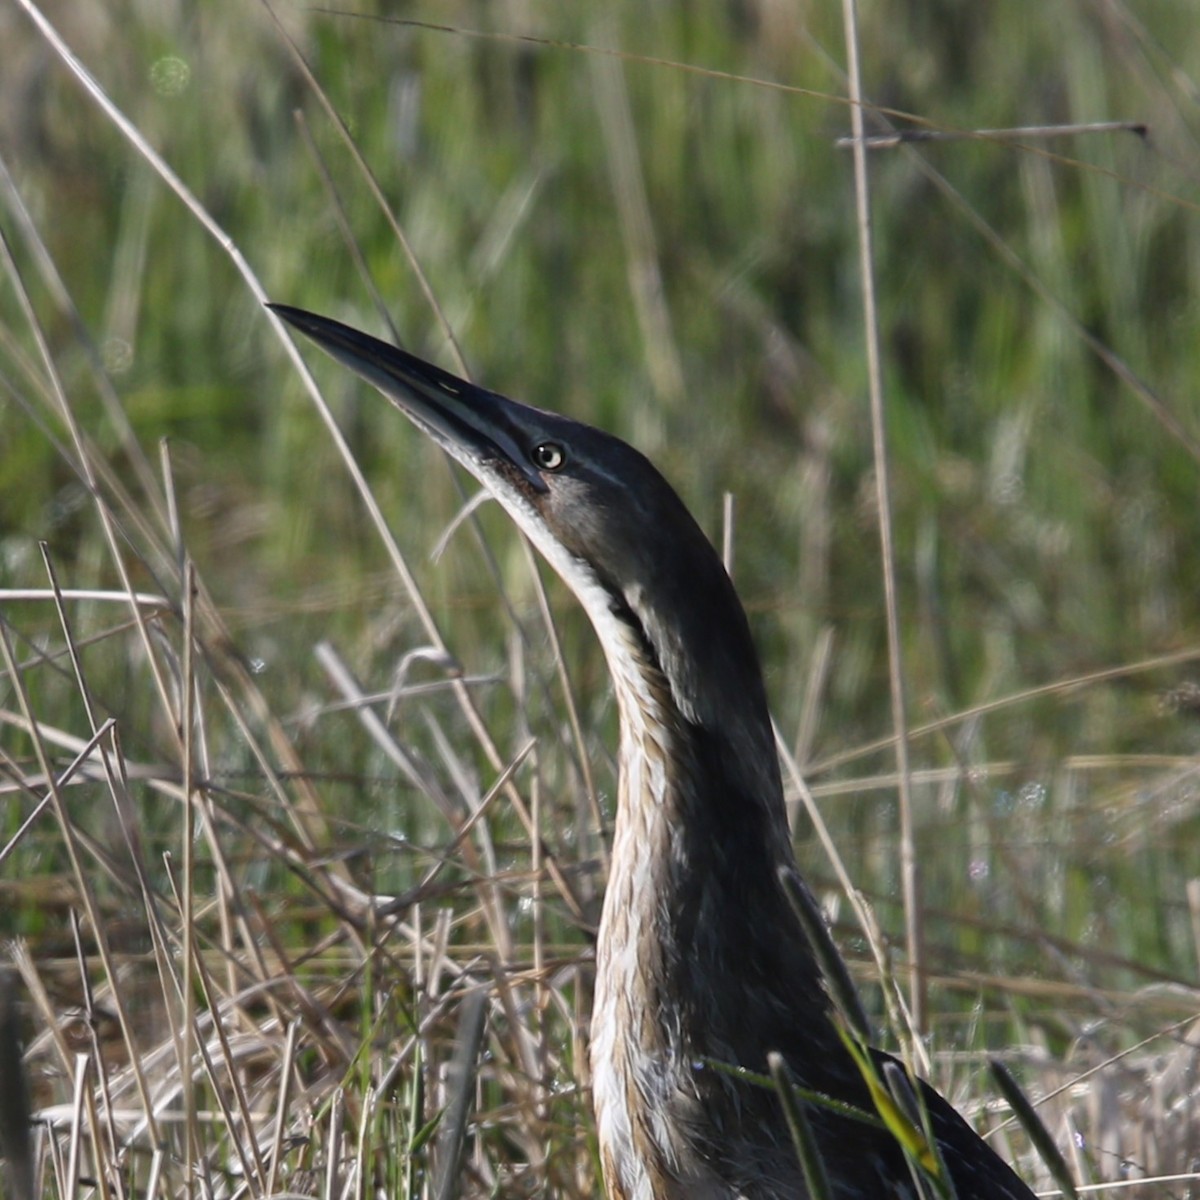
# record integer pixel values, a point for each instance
(705, 970)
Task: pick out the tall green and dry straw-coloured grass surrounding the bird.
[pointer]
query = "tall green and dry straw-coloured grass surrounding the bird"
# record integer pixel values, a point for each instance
(365, 926)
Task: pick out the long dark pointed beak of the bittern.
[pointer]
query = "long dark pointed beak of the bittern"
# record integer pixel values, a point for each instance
(478, 428)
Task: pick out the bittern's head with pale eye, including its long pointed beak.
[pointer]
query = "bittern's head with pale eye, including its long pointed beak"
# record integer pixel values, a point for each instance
(597, 509)
